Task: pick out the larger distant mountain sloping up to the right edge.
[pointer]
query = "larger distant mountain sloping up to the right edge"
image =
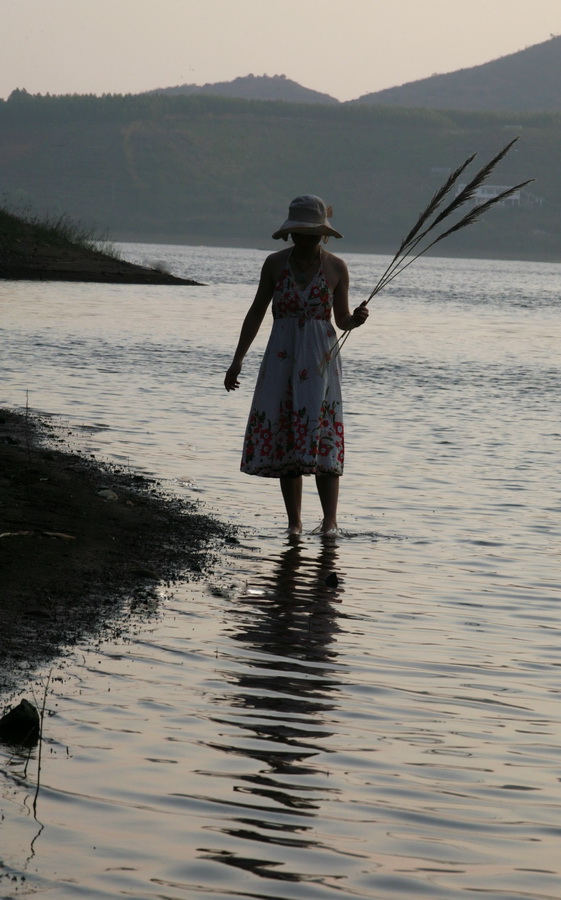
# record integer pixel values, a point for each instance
(527, 81)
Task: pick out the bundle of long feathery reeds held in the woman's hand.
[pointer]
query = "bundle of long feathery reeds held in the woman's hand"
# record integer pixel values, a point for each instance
(429, 228)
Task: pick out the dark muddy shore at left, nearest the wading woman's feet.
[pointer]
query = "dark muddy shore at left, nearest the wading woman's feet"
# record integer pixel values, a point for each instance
(82, 544)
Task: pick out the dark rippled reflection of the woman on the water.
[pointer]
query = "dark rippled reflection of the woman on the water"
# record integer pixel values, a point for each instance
(284, 691)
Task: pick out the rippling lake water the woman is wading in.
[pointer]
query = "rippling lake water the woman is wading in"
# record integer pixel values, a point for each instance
(267, 734)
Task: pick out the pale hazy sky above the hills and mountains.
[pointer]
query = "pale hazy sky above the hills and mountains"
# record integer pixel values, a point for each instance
(345, 48)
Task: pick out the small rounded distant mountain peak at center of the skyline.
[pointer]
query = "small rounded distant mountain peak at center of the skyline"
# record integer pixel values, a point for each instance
(254, 87)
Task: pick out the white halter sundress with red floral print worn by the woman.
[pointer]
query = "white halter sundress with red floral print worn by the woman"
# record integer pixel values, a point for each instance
(295, 425)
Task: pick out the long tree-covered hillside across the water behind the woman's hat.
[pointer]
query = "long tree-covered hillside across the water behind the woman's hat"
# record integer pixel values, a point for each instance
(220, 170)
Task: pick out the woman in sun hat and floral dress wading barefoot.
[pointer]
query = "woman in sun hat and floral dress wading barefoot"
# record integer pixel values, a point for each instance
(295, 425)
